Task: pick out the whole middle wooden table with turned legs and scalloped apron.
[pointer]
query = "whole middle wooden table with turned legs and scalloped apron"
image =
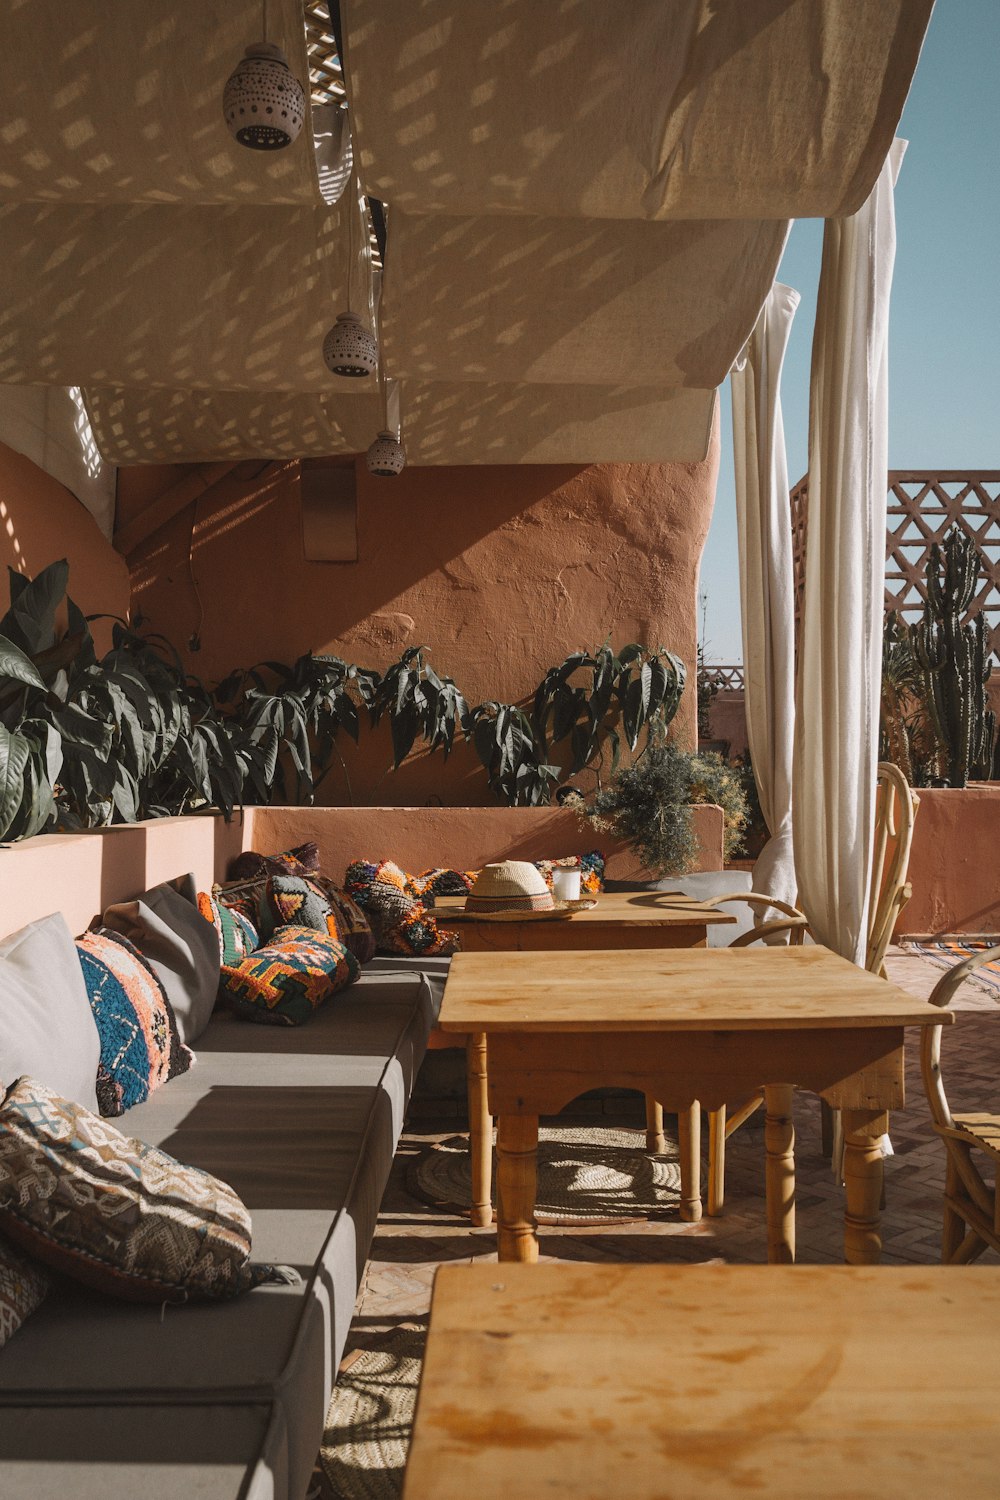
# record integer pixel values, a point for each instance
(689, 1027)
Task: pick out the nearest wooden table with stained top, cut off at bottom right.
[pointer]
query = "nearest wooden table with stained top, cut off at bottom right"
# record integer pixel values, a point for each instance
(698, 1382)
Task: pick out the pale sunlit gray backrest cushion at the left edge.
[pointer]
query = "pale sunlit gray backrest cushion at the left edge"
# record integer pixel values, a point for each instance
(47, 1028)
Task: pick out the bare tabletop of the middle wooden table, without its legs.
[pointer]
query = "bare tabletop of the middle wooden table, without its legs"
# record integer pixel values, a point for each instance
(672, 989)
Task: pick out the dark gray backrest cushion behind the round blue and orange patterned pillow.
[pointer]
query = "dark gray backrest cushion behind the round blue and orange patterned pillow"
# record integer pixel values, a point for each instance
(181, 946)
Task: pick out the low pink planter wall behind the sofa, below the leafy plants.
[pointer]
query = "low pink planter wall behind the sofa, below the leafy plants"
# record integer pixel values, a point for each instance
(82, 874)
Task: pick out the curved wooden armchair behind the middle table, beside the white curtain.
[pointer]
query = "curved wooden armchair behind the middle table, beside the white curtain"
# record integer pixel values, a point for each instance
(888, 893)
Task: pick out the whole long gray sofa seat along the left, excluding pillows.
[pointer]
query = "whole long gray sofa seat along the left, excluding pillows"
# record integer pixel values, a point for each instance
(101, 1399)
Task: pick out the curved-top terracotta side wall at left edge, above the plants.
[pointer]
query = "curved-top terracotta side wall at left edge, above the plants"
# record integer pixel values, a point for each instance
(41, 523)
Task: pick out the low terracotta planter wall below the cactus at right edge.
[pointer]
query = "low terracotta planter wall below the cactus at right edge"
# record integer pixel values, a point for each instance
(956, 862)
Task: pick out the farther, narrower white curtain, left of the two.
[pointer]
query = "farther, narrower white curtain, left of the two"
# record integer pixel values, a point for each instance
(767, 581)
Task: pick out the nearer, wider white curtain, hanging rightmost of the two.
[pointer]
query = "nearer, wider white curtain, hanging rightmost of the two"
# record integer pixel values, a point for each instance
(840, 649)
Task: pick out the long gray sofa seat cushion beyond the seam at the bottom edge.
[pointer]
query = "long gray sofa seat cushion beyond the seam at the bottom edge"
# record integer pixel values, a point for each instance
(304, 1126)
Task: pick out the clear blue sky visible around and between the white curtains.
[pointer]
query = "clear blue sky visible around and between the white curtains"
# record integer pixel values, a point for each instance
(945, 314)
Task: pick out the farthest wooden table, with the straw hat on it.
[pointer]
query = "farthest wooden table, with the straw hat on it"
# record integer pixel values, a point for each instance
(641, 920)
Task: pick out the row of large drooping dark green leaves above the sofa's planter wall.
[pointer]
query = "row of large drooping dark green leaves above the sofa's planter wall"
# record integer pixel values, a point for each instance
(86, 742)
